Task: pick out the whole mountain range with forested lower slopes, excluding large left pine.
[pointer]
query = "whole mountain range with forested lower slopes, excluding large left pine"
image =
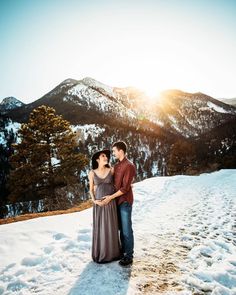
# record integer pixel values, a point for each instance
(175, 133)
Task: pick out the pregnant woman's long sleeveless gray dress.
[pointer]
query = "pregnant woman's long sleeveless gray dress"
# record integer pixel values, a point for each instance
(106, 242)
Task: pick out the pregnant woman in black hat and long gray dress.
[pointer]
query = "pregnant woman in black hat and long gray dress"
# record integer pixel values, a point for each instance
(106, 245)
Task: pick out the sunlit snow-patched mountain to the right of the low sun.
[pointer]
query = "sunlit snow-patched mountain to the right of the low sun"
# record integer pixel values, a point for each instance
(192, 114)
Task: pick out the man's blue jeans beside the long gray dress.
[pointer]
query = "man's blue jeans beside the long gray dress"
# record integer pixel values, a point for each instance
(125, 226)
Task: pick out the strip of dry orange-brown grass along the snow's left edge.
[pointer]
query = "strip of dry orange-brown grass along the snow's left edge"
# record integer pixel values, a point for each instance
(84, 205)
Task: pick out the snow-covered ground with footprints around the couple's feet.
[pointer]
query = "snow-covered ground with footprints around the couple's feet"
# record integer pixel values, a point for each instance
(185, 243)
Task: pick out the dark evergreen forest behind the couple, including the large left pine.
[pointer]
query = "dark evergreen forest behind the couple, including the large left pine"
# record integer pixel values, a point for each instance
(46, 169)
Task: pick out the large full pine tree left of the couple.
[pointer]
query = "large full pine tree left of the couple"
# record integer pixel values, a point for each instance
(46, 158)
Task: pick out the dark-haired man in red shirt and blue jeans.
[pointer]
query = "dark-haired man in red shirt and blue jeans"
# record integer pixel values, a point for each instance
(124, 172)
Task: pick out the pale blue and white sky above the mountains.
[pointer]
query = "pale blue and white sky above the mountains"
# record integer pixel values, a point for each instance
(152, 45)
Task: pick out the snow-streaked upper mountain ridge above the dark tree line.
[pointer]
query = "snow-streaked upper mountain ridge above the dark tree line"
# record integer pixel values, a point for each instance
(88, 101)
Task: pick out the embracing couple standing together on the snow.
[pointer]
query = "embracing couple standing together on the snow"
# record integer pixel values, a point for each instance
(111, 192)
